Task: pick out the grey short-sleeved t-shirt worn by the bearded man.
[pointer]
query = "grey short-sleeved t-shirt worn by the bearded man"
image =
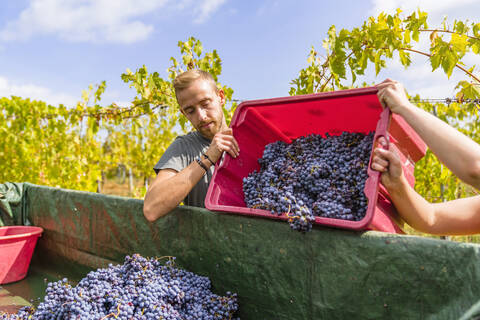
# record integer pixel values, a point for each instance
(183, 151)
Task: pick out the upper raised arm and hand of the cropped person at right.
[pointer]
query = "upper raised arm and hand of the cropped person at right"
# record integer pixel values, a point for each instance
(455, 150)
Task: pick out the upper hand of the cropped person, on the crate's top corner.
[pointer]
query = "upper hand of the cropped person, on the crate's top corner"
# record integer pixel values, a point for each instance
(392, 94)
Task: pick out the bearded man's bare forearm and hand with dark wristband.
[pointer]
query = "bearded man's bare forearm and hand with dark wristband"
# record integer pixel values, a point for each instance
(170, 187)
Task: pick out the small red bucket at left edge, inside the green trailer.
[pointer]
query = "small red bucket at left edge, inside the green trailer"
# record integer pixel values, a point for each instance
(16, 249)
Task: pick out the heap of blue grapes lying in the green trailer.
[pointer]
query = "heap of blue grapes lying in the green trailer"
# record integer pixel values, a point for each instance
(139, 289)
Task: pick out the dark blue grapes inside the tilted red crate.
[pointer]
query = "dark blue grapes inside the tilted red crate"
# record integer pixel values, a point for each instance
(312, 176)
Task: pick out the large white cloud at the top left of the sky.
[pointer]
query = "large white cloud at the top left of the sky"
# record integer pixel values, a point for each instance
(113, 21)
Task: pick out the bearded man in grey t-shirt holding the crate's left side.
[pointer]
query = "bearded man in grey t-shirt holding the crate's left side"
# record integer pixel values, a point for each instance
(185, 169)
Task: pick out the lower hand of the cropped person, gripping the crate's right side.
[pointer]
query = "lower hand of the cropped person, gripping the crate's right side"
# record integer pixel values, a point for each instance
(388, 163)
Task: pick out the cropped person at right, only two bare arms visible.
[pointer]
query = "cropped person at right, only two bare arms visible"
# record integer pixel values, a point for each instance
(455, 150)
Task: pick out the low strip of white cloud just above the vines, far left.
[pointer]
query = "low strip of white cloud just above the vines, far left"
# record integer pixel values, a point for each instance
(34, 92)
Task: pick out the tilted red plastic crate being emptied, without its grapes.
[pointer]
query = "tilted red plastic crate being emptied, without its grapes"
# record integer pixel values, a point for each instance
(260, 122)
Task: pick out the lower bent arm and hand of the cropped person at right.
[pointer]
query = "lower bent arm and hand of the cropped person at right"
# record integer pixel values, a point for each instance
(455, 217)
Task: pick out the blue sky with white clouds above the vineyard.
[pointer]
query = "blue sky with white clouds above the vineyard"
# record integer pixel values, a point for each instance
(53, 49)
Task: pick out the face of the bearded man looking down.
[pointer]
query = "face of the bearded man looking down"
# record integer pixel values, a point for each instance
(202, 104)
